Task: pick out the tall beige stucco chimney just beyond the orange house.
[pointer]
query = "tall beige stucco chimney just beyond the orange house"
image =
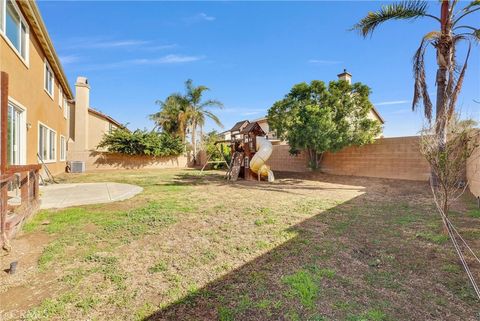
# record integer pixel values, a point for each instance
(82, 103)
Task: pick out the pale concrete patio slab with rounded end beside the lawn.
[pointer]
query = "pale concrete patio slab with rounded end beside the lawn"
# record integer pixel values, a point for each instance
(66, 195)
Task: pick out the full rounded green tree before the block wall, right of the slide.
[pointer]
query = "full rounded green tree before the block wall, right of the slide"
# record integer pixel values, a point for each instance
(317, 118)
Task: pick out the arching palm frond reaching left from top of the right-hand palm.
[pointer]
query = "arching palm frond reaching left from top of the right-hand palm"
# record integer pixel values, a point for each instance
(403, 10)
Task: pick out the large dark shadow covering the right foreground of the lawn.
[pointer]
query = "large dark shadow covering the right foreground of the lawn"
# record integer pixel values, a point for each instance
(378, 256)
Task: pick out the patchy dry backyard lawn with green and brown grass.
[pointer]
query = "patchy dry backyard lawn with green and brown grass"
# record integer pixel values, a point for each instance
(194, 247)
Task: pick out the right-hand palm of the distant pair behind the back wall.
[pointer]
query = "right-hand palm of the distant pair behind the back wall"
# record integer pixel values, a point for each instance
(198, 111)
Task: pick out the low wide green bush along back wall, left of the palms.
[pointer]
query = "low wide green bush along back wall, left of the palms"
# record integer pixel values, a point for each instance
(142, 142)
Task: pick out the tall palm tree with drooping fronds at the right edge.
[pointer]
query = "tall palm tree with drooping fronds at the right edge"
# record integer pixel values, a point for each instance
(450, 74)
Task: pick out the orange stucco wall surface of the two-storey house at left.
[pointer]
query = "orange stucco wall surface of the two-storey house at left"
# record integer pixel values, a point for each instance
(26, 86)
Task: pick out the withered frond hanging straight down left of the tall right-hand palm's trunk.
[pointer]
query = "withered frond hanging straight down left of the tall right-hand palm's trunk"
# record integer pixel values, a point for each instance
(420, 92)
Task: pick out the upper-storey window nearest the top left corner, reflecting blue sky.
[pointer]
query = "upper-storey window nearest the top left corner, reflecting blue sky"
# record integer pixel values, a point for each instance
(14, 27)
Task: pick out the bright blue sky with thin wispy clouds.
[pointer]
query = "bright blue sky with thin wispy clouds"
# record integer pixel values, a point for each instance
(248, 53)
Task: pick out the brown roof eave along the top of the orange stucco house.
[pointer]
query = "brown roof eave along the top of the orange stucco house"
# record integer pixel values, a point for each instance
(34, 18)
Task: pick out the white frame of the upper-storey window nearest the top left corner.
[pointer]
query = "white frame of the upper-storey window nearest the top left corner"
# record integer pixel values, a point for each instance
(3, 25)
